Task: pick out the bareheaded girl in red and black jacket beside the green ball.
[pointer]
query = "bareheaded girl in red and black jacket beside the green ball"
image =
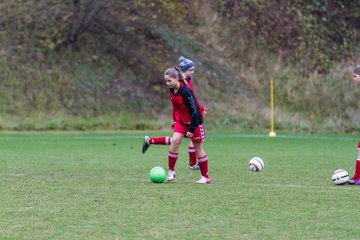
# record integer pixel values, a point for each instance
(188, 123)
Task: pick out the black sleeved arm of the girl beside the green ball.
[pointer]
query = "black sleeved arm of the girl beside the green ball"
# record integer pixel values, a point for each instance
(190, 102)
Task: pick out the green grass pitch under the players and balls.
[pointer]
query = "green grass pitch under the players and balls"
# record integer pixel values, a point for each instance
(96, 186)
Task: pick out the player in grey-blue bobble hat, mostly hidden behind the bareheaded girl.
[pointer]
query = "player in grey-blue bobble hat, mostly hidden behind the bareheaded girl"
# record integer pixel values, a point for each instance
(188, 68)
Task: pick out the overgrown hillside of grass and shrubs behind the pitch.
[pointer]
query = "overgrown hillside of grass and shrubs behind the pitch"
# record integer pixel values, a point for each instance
(90, 64)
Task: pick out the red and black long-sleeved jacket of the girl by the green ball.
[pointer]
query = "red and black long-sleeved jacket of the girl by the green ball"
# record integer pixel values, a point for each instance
(185, 107)
